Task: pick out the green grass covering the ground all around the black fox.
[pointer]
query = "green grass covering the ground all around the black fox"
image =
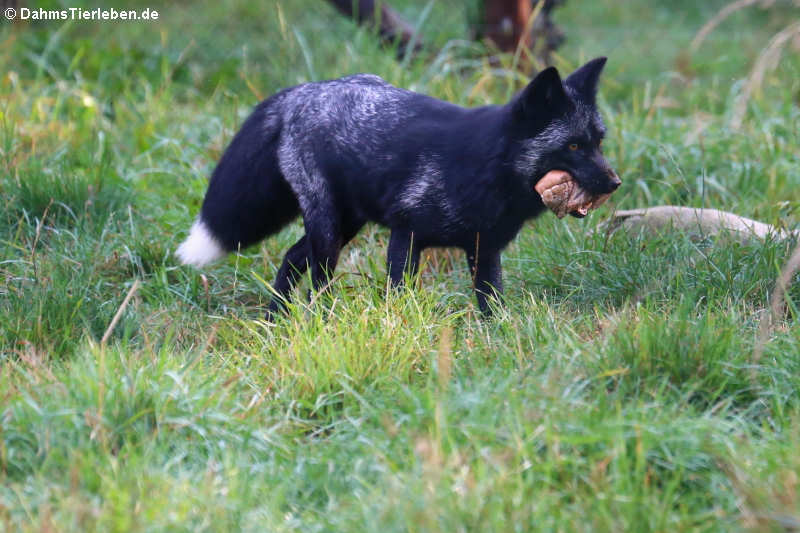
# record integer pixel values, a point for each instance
(618, 389)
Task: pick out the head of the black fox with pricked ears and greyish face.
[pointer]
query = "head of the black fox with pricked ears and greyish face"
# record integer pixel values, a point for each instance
(557, 127)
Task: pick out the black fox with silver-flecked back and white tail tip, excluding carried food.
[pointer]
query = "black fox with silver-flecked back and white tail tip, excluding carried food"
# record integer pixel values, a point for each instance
(348, 151)
